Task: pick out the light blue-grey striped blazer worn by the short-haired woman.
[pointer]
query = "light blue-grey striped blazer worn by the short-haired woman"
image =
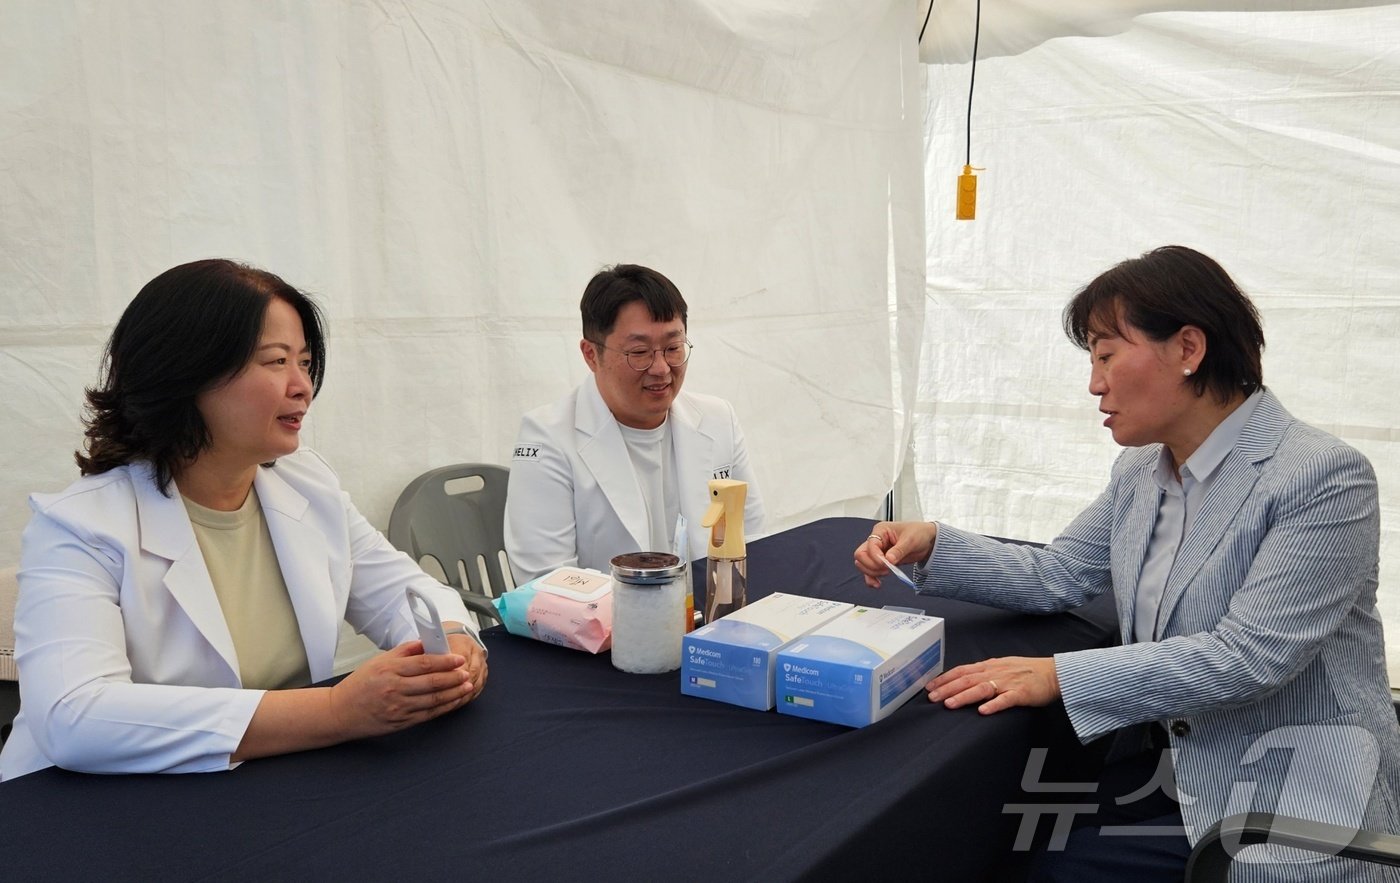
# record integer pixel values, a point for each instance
(1270, 635)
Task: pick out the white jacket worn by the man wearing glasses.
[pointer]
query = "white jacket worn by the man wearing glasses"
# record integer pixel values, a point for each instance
(575, 500)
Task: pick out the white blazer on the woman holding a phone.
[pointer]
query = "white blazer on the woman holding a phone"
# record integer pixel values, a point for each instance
(127, 664)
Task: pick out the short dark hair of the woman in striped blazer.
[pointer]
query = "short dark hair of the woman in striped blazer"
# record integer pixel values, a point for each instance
(1164, 292)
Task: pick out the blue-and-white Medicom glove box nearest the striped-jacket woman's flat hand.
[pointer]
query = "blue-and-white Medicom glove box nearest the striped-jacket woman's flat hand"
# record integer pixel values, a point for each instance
(860, 668)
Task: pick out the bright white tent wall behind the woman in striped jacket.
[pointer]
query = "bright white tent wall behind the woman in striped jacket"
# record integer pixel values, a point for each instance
(1268, 139)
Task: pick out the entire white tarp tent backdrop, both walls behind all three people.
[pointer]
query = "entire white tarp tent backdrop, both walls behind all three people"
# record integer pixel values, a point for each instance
(447, 176)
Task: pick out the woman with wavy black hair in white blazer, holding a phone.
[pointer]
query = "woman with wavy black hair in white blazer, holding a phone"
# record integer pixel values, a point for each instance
(135, 632)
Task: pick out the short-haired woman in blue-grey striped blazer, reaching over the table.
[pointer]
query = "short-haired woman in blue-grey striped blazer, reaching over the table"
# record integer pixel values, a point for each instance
(1242, 549)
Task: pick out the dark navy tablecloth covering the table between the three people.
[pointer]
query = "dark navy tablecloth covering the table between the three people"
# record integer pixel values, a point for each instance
(570, 770)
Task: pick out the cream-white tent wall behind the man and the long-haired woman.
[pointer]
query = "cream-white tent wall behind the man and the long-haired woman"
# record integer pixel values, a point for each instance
(444, 178)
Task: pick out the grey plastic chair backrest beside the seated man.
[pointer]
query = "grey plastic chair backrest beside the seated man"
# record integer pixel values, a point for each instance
(457, 517)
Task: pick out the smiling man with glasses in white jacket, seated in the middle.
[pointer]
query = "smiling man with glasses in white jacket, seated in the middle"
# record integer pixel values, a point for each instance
(607, 469)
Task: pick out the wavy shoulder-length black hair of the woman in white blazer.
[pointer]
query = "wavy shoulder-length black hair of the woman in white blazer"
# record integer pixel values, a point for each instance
(190, 330)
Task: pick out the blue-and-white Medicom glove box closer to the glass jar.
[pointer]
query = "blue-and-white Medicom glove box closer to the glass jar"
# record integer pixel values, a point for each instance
(733, 658)
